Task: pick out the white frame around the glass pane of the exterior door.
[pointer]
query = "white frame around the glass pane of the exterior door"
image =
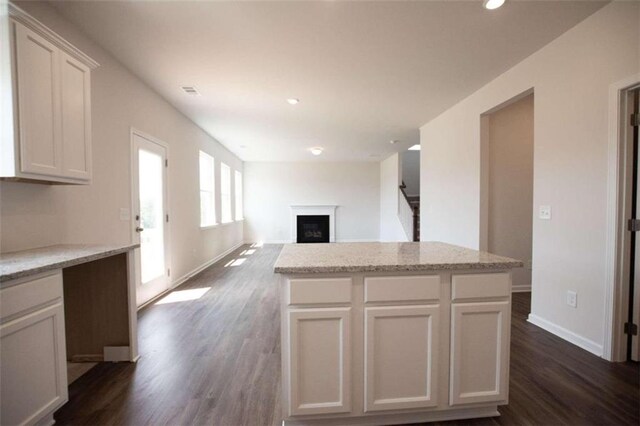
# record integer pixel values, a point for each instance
(135, 236)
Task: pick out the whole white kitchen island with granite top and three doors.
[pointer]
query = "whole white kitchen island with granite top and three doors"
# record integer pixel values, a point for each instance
(393, 333)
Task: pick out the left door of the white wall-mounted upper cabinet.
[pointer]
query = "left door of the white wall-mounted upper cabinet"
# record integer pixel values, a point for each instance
(38, 103)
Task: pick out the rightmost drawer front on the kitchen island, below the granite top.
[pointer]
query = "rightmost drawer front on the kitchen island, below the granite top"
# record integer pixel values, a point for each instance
(473, 286)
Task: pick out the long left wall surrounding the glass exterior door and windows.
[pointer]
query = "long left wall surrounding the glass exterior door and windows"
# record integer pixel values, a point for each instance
(37, 215)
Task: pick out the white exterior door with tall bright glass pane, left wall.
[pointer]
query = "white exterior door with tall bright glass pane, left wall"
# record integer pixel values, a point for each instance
(150, 217)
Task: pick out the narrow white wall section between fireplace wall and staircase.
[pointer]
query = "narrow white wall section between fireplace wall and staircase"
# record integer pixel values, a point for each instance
(390, 225)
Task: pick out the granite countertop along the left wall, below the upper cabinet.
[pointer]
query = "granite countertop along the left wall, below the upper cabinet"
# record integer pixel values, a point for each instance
(23, 263)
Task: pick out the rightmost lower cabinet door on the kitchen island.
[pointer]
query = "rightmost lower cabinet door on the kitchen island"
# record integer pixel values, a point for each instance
(479, 352)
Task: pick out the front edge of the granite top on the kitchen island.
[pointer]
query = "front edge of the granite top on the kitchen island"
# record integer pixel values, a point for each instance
(396, 268)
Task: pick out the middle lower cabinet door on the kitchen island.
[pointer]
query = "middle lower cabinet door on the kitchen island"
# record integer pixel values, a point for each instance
(401, 347)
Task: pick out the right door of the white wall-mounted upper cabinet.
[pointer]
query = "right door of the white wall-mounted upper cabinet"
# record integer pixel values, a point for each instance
(76, 118)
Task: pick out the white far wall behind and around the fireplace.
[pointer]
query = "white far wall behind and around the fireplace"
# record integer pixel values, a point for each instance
(271, 188)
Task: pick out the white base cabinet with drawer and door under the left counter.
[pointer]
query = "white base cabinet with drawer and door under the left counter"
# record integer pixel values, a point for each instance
(32, 351)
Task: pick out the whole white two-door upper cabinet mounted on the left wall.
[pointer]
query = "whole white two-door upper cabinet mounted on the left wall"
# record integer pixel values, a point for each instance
(52, 106)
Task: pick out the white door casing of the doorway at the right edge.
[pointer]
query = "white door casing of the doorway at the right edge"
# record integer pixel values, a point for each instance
(617, 263)
